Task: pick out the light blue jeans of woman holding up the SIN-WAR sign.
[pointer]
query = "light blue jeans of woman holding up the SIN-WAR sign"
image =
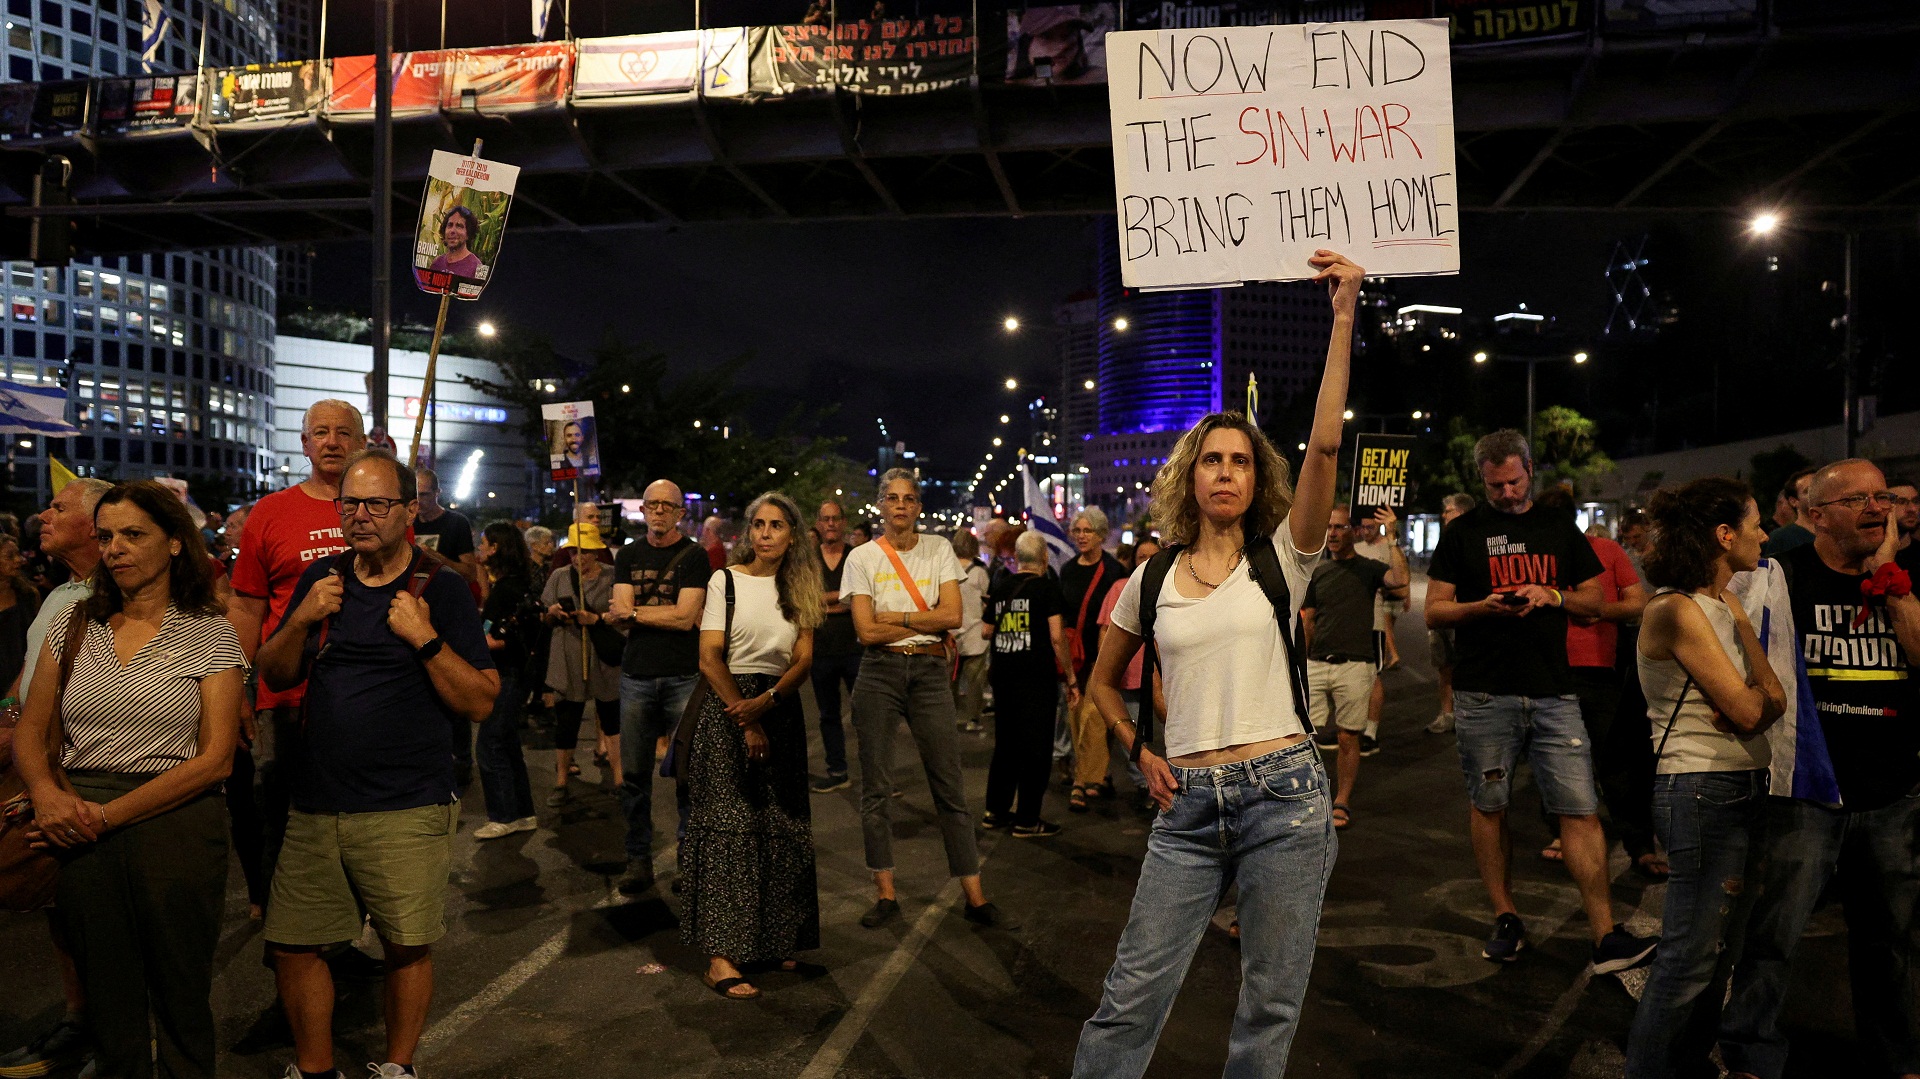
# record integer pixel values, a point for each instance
(1264, 825)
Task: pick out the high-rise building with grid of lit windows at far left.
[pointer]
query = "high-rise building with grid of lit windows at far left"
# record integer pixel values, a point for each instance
(168, 358)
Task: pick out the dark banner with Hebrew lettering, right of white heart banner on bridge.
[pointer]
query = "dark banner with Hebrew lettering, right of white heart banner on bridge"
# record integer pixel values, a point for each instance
(890, 57)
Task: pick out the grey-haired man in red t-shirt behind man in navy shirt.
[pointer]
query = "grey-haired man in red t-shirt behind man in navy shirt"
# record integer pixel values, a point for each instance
(285, 535)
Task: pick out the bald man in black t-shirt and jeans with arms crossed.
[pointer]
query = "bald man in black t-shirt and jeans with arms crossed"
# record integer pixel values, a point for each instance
(660, 590)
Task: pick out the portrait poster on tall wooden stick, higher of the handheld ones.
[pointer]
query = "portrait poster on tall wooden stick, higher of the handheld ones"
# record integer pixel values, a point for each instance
(464, 222)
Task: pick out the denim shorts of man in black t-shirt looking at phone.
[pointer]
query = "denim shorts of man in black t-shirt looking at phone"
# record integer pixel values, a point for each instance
(1497, 731)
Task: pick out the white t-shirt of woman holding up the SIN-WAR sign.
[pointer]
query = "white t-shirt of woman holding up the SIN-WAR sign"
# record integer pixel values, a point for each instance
(1222, 661)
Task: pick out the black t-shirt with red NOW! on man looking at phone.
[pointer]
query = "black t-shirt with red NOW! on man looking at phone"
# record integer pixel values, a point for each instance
(1487, 552)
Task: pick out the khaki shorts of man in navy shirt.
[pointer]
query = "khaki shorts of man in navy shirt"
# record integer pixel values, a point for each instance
(337, 863)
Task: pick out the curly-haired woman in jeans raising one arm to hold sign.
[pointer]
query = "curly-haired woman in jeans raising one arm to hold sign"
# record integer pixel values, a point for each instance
(1243, 796)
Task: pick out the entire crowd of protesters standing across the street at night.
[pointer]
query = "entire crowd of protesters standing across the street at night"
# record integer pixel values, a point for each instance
(312, 683)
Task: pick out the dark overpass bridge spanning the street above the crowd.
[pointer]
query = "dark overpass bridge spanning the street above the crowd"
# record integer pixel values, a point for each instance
(1823, 118)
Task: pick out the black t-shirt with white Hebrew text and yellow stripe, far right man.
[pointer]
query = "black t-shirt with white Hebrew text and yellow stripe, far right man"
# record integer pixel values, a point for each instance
(1860, 679)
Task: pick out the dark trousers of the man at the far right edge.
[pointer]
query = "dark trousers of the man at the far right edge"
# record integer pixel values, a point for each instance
(1873, 853)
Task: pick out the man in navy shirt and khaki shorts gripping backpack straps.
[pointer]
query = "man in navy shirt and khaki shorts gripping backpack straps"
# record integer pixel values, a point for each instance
(393, 648)
